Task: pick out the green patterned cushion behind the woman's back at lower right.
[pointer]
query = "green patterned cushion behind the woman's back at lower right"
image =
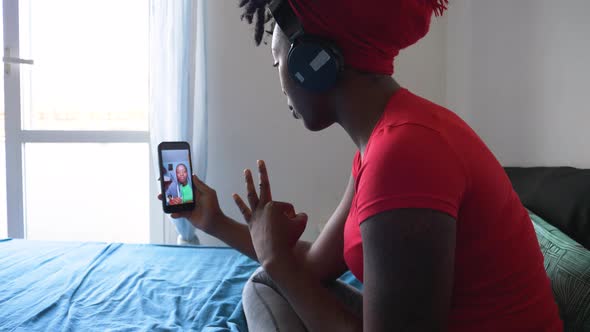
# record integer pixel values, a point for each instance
(568, 266)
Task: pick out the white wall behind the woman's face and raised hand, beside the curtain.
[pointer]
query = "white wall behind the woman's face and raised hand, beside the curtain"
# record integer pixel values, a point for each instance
(249, 119)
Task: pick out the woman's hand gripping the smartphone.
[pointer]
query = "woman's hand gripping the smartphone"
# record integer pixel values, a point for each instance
(207, 214)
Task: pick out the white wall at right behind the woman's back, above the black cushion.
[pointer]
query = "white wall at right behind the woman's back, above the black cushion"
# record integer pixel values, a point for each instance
(518, 72)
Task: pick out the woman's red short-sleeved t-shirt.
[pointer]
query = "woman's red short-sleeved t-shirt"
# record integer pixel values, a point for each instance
(421, 155)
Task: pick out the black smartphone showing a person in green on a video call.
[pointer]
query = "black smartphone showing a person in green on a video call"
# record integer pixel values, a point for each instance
(176, 183)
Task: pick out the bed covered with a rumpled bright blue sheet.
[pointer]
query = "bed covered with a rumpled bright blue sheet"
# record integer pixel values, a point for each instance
(74, 286)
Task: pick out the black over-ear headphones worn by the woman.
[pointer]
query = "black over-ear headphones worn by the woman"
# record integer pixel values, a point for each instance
(313, 62)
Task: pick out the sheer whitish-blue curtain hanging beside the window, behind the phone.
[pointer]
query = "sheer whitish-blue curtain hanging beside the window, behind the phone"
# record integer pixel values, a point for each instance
(177, 84)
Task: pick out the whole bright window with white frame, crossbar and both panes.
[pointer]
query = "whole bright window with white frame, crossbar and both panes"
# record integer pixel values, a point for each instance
(77, 120)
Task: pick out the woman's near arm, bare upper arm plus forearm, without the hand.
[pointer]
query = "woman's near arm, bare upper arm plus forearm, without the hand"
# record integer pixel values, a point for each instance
(408, 277)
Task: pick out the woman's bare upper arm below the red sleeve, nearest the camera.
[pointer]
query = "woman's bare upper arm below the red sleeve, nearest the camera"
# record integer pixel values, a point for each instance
(409, 257)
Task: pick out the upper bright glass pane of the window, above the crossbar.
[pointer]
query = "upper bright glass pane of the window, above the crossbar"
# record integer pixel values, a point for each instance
(91, 64)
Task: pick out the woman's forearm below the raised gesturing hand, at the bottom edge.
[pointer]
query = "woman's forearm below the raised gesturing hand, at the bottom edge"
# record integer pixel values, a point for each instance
(316, 306)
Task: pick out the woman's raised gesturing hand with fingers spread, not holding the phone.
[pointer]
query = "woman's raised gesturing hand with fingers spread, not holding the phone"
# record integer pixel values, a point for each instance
(274, 226)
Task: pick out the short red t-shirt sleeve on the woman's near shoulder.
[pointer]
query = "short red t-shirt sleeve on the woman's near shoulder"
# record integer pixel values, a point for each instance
(410, 166)
